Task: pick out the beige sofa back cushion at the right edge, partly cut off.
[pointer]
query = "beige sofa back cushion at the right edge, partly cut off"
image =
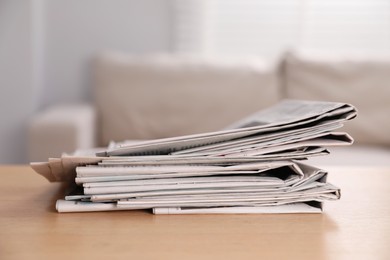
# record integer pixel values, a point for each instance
(364, 83)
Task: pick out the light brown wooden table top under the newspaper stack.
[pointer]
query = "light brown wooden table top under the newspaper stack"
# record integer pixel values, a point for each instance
(356, 227)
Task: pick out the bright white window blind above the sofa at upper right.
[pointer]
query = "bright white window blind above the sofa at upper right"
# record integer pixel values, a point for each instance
(268, 28)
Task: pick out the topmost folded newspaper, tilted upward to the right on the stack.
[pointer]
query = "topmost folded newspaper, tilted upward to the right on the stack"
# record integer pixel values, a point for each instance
(282, 118)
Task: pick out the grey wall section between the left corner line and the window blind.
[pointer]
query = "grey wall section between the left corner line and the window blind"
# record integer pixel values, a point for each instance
(76, 30)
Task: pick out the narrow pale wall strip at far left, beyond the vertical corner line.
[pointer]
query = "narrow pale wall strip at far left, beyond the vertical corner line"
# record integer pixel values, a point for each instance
(16, 75)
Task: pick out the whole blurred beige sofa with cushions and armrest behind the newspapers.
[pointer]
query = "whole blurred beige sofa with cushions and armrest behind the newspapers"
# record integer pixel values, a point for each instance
(160, 96)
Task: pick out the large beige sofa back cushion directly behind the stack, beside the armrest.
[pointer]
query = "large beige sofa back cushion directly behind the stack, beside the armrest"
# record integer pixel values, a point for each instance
(149, 97)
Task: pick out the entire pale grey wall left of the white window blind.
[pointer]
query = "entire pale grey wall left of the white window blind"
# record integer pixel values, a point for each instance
(46, 47)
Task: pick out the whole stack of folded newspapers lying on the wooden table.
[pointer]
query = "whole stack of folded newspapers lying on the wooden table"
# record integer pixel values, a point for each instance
(254, 166)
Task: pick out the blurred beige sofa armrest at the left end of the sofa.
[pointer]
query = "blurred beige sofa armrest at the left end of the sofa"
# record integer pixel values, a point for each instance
(61, 129)
